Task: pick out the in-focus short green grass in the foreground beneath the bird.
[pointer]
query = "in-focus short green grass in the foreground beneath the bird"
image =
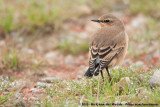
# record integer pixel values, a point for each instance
(87, 91)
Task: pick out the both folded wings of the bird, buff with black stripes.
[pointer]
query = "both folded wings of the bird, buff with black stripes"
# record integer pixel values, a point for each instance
(106, 52)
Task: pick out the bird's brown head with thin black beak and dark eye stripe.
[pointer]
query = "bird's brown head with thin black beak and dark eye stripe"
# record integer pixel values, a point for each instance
(108, 20)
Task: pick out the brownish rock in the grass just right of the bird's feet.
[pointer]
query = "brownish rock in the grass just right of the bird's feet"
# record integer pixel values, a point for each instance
(123, 83)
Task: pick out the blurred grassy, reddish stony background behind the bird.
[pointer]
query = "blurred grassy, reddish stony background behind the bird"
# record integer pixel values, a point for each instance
(50, 38)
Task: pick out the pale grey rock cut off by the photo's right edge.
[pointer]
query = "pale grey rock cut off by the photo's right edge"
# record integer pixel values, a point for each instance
(155, 79)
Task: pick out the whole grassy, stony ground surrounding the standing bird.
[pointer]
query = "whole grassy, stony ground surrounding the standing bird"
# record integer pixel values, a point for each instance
(44, 53)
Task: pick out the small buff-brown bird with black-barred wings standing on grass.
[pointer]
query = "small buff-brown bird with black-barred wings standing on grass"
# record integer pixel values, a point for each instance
(108, 45)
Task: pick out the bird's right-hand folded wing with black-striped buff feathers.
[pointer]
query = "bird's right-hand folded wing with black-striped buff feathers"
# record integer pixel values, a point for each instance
(108, 52)
